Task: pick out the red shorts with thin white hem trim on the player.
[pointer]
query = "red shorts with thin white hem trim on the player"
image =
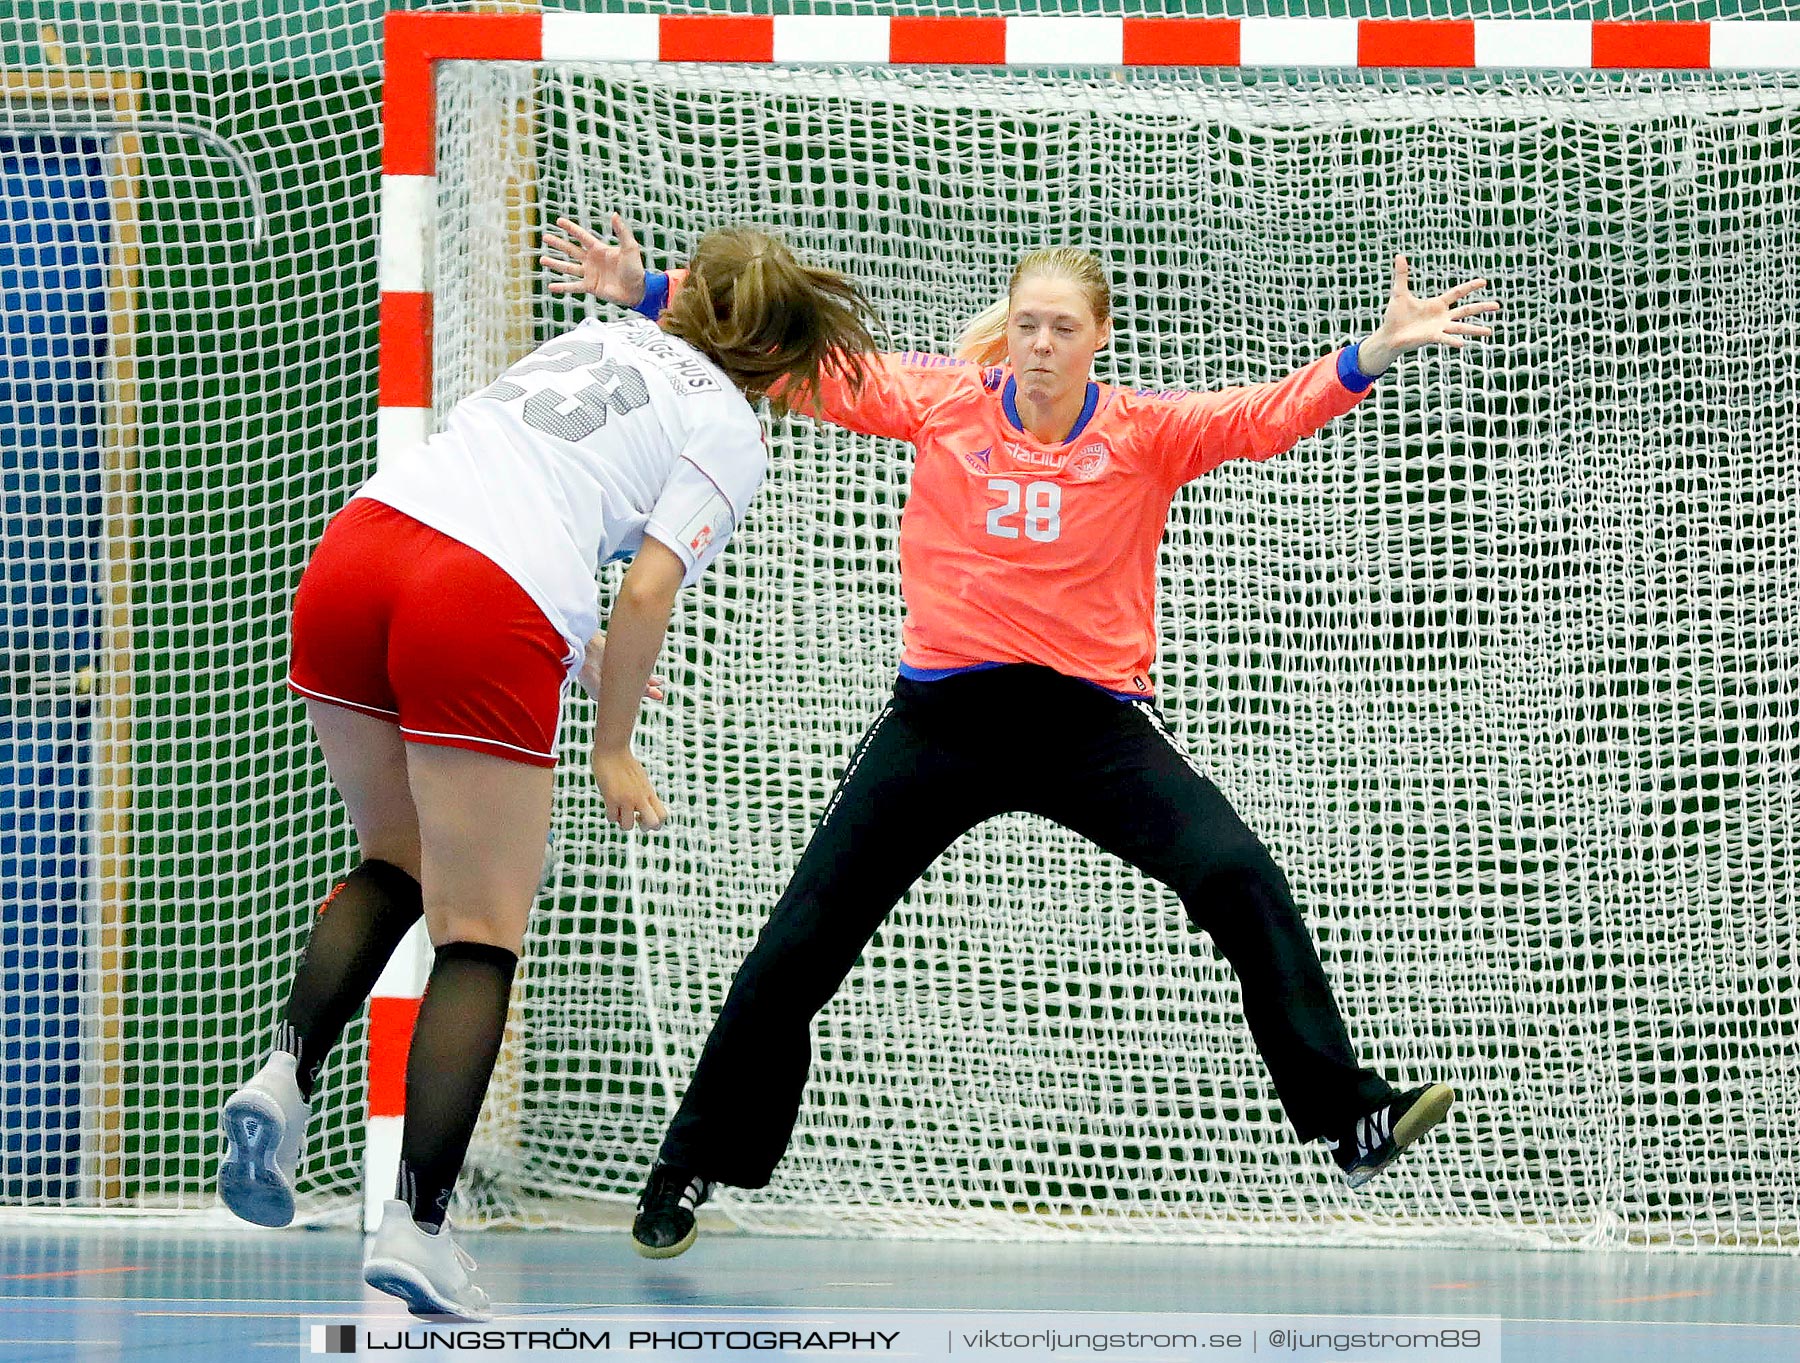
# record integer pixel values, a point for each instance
(400, 622)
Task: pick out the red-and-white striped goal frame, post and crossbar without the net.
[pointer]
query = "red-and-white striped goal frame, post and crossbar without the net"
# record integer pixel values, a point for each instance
(409, 188)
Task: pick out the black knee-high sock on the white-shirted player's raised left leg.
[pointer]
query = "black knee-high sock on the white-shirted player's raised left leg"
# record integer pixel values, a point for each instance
(354, 935)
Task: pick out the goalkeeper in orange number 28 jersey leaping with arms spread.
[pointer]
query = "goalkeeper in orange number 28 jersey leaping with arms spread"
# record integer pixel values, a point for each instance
(1029, 568)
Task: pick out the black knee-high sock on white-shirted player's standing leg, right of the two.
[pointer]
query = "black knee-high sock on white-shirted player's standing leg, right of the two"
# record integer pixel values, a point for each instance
(454, 1047)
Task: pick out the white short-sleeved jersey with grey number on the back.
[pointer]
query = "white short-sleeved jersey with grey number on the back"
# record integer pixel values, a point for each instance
(611, 433)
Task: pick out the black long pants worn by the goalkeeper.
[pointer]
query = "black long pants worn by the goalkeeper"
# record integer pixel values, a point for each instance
(940, 759)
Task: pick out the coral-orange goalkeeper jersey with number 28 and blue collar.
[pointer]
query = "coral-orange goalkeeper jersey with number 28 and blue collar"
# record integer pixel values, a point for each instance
(1014, 550)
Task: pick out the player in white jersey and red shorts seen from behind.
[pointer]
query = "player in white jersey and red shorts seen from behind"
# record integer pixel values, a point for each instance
(435, 631)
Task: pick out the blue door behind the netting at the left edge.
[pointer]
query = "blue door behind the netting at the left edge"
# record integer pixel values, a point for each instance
(53, 345)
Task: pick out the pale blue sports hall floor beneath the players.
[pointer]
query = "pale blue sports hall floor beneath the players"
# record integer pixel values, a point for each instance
(242, 1295)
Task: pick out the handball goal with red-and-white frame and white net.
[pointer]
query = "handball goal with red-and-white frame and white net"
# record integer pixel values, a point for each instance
(1502, 665)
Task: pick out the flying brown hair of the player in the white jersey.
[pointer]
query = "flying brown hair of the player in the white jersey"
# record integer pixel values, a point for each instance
(768, 320)
